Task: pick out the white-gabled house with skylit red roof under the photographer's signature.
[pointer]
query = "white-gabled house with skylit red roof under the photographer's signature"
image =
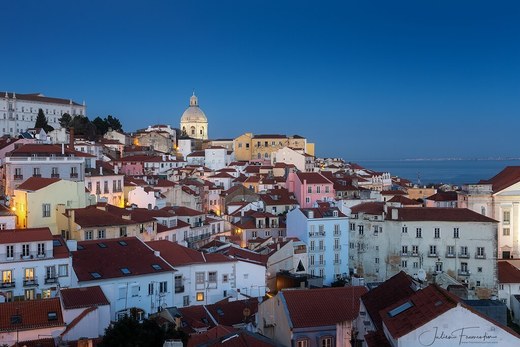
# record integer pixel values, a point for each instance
(401, 313)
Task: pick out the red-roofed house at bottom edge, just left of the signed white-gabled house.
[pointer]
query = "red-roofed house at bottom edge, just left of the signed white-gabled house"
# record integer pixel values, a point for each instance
(311, 317)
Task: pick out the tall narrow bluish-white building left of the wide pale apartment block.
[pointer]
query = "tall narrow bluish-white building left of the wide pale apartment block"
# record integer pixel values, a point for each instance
(325, 231)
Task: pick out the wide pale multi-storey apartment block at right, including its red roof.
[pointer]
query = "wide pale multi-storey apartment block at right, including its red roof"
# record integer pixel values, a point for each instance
(458, 242)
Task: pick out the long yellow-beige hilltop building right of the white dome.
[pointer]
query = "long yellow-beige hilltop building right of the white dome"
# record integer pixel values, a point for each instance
(249, 147)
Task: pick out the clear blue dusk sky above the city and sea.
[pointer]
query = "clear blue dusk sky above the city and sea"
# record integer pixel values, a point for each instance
(361, 79)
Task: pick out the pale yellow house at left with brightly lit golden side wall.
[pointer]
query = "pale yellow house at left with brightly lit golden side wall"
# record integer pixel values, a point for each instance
(36, 201)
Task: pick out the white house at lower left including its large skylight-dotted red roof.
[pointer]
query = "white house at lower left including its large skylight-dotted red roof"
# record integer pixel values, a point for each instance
(130, 274)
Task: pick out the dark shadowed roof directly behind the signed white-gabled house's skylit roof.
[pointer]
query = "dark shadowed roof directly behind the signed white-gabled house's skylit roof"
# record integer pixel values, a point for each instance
(391, 291)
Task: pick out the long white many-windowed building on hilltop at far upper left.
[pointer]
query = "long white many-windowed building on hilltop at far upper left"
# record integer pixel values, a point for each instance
(18, 112)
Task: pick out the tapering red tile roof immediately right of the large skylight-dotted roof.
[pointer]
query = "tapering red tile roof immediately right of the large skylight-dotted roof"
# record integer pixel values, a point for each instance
(177, 255)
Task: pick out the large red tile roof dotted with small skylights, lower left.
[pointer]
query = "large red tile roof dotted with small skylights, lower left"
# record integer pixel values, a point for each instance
(107, 258)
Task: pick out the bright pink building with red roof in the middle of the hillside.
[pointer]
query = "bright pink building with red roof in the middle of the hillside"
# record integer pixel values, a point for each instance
(309, 187)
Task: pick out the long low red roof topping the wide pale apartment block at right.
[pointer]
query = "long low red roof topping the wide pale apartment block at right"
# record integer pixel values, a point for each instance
(444, 214)
